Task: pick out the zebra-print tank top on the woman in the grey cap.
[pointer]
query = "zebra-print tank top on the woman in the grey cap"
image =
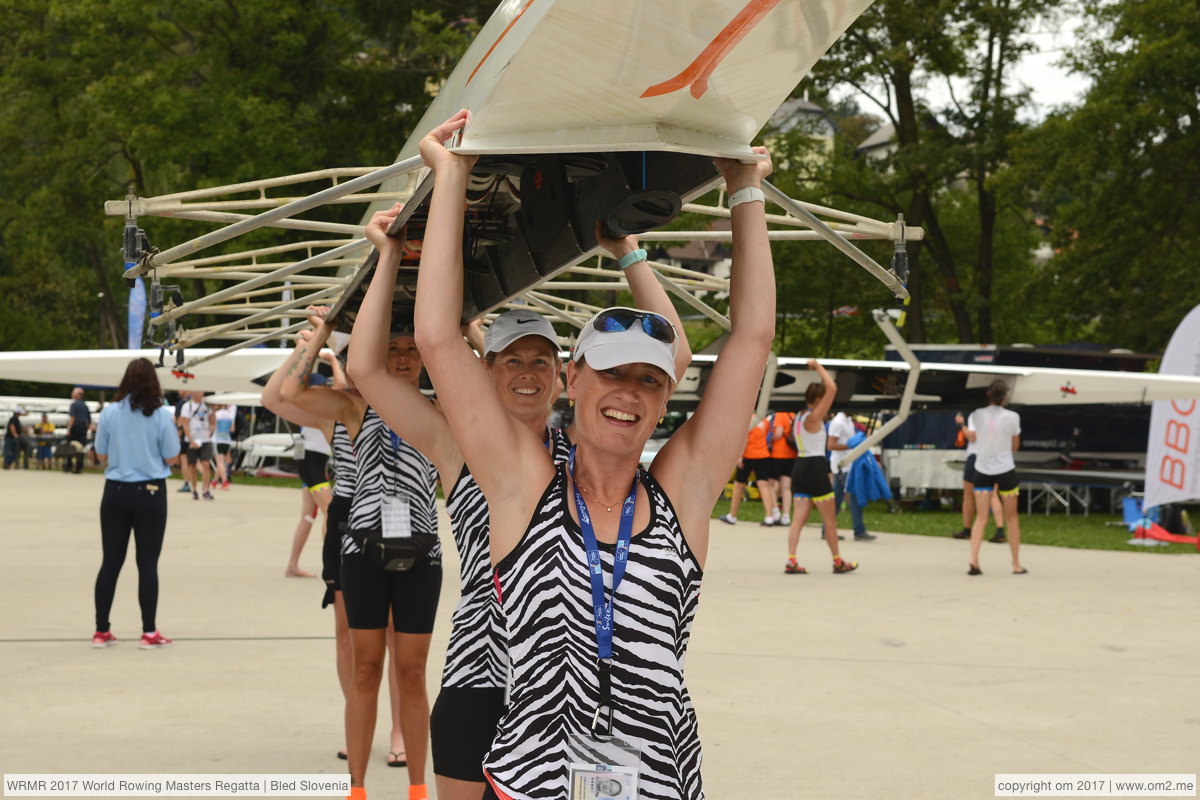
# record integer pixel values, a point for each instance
(478, 654)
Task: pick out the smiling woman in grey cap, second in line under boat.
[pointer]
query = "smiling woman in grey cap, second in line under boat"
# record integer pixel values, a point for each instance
(521, 357)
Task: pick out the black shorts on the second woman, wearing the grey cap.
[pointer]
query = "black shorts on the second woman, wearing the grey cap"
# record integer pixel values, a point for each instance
(463, 726)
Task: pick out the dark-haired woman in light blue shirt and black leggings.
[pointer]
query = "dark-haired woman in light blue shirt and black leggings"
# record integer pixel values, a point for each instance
(137, 441)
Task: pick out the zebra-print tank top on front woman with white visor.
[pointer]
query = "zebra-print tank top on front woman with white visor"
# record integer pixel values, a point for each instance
(548, 610)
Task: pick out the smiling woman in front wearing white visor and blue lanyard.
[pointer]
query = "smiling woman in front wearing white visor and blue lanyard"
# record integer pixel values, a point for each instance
(598, 652)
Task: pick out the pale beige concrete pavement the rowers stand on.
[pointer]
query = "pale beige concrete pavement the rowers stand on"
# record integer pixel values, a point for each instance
(907, 679)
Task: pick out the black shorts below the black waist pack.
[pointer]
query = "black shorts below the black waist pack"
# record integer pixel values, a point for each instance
(370, 593)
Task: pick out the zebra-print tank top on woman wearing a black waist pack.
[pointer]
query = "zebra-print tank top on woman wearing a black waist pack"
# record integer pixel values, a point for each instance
(391, 468)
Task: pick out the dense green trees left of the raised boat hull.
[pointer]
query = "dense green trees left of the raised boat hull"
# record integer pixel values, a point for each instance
(99, 98)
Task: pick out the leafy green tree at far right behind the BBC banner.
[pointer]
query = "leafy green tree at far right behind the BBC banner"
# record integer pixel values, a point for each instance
(1119, 178)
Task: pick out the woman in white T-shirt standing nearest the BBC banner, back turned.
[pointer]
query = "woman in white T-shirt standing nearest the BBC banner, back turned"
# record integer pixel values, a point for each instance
(997, 434)
